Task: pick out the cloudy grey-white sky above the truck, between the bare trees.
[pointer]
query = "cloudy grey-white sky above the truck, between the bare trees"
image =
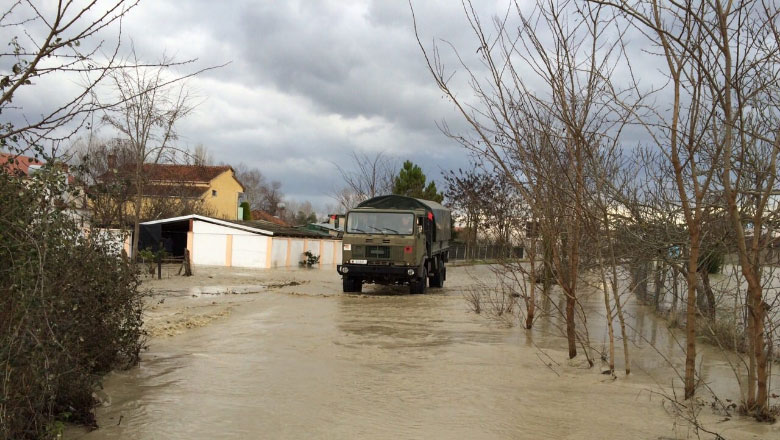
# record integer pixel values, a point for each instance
(309, 82)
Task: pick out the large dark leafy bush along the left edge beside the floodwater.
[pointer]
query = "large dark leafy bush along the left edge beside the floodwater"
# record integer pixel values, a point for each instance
(70, 310)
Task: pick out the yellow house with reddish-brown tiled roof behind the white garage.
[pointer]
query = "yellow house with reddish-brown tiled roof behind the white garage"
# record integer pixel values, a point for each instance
(211, 189)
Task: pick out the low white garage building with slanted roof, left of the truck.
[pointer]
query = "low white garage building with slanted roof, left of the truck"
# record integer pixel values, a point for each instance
(253, 244)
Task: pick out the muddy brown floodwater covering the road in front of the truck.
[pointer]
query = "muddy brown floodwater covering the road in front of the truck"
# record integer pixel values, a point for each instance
(320, 364)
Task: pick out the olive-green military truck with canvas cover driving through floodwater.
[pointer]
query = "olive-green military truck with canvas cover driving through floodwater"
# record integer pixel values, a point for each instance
(395, 240)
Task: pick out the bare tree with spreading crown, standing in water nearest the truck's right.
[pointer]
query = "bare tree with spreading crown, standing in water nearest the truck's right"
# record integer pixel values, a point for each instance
(570, 114)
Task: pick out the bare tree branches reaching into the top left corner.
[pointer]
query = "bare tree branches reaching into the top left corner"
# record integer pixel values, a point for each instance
(60, 39)
